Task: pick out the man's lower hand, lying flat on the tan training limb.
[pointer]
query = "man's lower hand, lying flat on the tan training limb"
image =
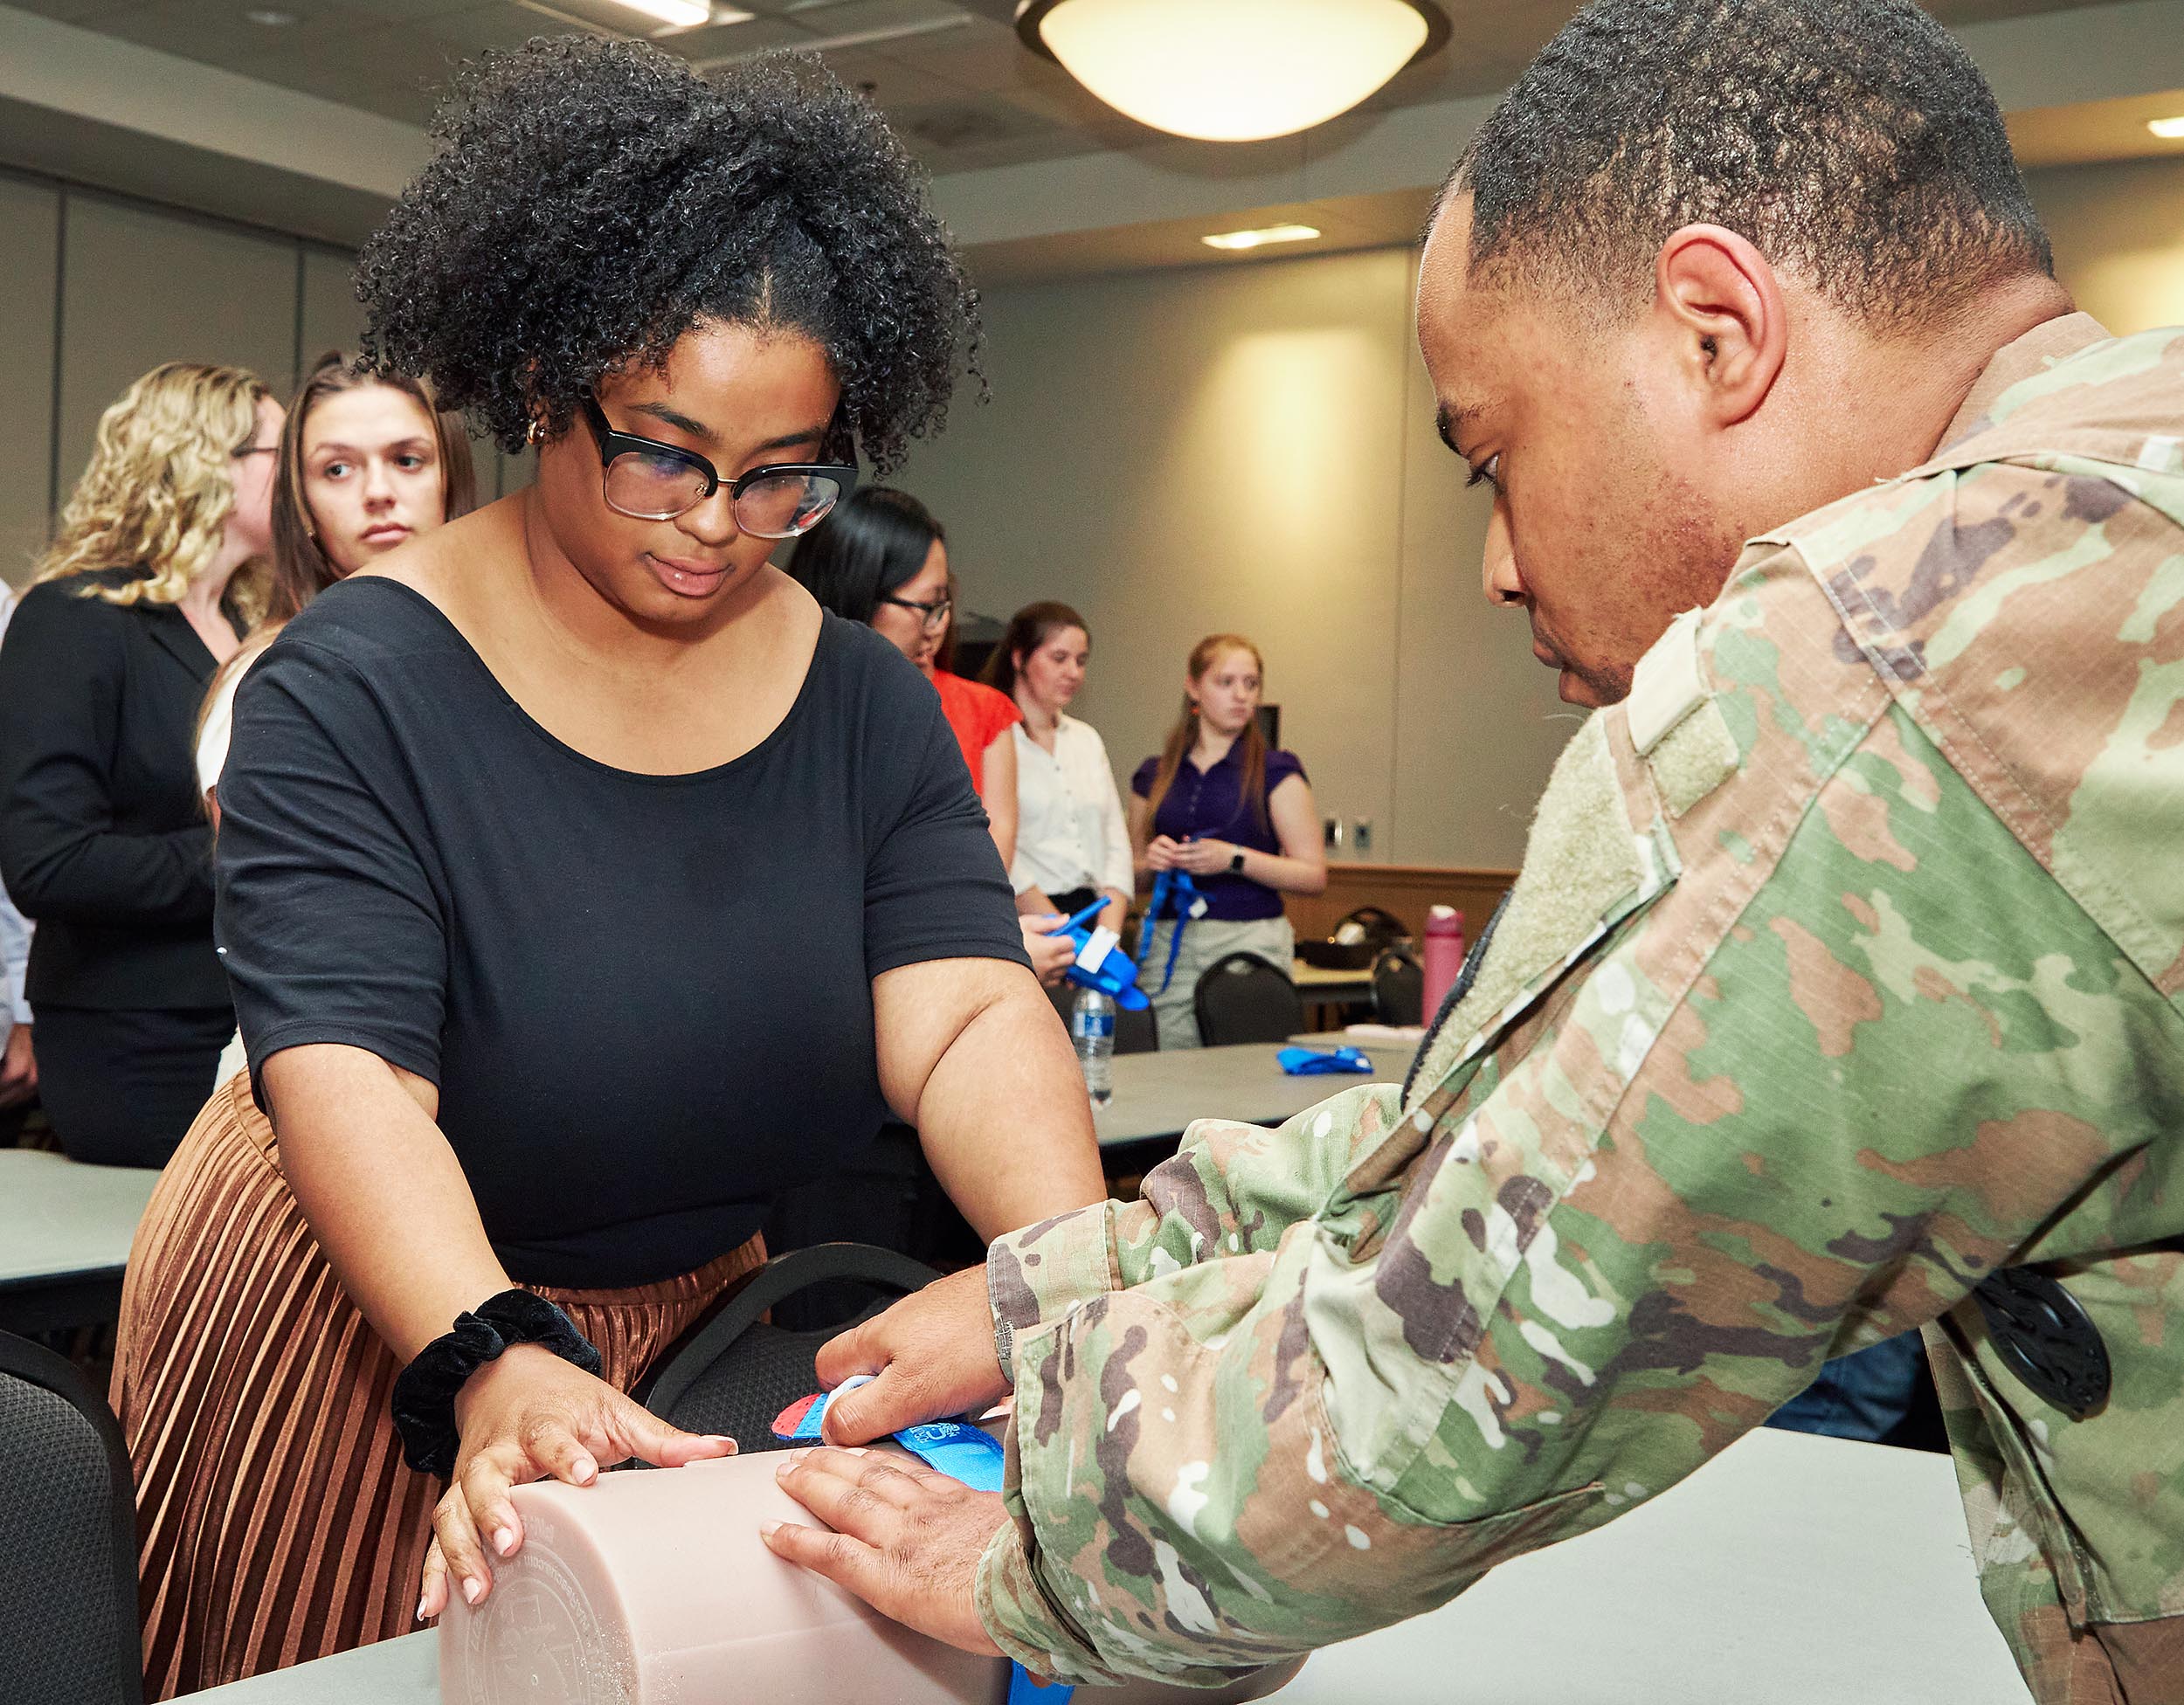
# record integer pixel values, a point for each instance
(905, 1540)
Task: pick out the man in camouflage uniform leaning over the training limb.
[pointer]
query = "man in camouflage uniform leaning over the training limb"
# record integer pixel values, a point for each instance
(1840, 992)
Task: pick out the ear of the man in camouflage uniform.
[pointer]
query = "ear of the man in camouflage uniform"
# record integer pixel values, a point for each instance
(1724, 311)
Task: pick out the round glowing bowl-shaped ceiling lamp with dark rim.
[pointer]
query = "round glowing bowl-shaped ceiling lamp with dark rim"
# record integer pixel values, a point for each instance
(1233, 71)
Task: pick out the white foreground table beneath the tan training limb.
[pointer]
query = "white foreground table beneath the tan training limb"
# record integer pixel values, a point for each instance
(1794, 1571)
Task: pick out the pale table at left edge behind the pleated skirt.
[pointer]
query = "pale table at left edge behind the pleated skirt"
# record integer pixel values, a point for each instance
(64, 1237)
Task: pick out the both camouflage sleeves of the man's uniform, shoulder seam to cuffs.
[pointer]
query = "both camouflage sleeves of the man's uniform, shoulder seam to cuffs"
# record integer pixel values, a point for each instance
(1785, 1042)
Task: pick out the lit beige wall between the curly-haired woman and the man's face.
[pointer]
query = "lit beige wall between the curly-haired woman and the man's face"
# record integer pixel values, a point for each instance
(1250, 449)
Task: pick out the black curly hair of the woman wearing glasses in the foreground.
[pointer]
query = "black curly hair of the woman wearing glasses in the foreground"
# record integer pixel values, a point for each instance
(591, 202)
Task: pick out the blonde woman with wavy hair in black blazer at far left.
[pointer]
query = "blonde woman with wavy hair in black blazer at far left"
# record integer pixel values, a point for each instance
(102, 842)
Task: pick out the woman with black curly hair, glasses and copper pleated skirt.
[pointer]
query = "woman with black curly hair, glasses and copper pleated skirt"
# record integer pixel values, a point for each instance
(582, 881)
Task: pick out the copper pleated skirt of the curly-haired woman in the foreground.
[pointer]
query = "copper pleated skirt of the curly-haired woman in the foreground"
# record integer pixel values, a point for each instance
(276, 1518)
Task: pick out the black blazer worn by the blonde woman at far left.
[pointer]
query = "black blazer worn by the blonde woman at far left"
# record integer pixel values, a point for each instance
(102, 835)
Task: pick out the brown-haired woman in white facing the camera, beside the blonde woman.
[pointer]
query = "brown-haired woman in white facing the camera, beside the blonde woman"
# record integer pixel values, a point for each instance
(366, 466)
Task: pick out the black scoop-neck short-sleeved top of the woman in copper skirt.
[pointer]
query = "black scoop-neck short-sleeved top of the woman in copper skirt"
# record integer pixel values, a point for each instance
(645, 999)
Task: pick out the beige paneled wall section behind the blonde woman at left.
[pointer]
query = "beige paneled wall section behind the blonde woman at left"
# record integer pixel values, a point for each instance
(99, 289)
